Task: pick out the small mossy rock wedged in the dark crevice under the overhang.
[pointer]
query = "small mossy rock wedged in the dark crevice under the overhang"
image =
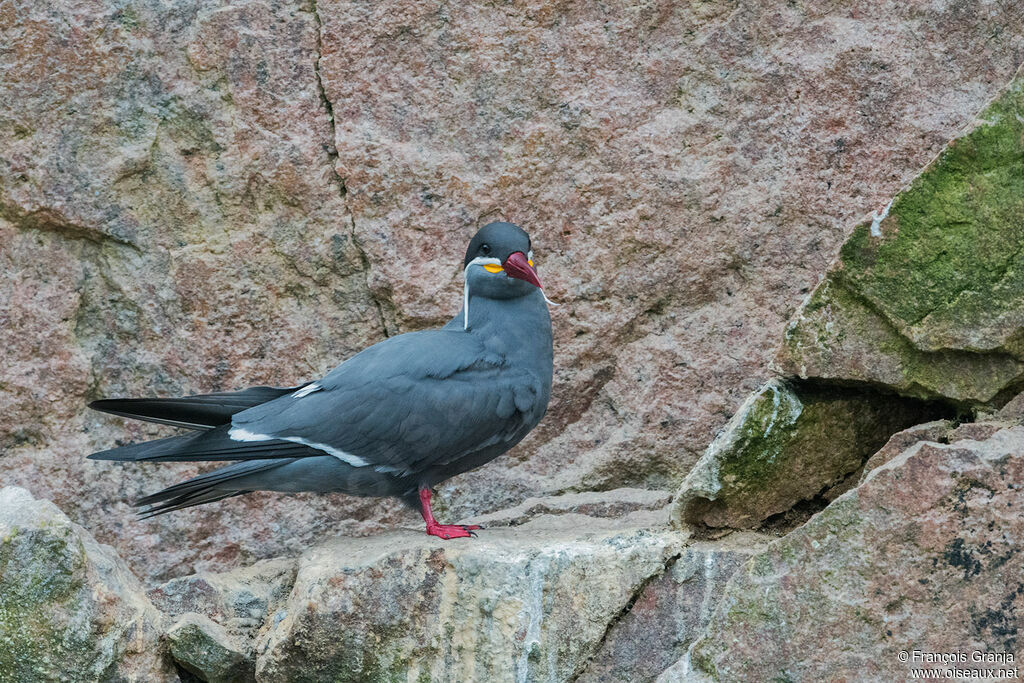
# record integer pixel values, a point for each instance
(790, 444)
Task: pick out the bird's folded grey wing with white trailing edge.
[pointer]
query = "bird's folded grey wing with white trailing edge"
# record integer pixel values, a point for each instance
(425, 400)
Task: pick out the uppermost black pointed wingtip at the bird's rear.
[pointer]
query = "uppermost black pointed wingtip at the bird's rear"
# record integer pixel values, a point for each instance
(200, 412)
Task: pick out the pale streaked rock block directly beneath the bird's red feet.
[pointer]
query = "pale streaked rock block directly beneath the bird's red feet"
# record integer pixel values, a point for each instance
(514, 605)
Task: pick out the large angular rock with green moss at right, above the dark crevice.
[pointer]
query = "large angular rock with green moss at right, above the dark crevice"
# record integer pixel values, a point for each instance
(928, 301)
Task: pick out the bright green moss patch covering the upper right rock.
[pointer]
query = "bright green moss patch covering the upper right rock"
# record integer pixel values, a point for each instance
(952, 246)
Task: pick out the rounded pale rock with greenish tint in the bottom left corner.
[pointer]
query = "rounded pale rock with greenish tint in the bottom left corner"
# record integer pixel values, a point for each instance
(70, 609)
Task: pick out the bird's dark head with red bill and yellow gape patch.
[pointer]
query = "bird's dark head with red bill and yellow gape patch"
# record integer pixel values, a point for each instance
(500, 264)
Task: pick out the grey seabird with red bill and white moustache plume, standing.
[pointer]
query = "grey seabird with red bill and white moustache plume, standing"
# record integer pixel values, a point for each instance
(397, 419)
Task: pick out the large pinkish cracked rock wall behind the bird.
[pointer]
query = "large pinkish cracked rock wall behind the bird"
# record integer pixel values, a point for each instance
(205, 196)
